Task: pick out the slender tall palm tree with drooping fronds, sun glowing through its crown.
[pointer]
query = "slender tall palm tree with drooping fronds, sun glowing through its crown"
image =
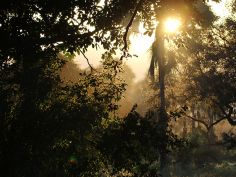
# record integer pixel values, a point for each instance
(158, 50)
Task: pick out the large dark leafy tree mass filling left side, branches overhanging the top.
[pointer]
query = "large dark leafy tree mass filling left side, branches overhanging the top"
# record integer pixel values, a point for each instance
(42, 121)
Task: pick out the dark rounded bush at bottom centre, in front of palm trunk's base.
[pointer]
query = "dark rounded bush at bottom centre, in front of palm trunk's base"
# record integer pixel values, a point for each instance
(136, 143)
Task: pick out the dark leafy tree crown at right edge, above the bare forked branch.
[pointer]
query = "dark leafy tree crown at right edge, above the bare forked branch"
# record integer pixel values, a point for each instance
(213, 69)
